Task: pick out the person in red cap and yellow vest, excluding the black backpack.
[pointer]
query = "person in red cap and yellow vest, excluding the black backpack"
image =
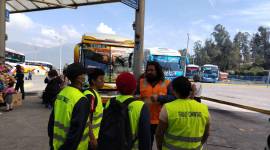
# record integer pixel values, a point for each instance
(139, 115)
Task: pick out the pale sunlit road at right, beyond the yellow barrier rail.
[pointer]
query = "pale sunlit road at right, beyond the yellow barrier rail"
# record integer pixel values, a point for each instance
(250, 95)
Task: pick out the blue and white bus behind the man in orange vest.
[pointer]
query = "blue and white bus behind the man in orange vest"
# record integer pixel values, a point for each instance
(169, 59)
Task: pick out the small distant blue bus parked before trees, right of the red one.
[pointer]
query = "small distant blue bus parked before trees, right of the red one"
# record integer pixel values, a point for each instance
(209, 73)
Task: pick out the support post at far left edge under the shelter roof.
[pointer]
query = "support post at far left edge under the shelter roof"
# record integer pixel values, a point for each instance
(2, 30)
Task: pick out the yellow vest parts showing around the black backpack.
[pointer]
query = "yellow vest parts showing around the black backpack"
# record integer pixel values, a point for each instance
(134, 115)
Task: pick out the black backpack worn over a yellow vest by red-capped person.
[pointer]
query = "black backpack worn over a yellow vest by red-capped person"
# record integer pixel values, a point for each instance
(115, 132)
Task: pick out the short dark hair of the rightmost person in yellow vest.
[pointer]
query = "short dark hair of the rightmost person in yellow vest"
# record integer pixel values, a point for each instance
(182, 86)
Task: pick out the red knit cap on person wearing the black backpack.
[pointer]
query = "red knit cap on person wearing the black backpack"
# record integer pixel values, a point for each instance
(126, 83)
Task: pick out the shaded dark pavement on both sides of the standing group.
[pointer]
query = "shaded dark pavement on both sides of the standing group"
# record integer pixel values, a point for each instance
(232, 128)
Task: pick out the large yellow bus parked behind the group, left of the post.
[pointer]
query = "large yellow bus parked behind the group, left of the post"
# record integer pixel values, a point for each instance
(107, 52)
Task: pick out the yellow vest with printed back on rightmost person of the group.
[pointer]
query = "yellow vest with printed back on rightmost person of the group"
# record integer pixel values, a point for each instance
(186, 125)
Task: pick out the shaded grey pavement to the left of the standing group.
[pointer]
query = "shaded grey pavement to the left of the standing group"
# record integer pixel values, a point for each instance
(25, 128)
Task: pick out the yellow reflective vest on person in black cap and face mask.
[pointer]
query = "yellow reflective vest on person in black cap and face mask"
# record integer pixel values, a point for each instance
(63, 108)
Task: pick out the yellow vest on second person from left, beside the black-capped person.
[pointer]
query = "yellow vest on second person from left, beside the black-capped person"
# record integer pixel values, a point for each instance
(98, 114)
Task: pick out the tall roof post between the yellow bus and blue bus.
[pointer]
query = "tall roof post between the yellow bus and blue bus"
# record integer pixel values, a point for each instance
(139, 38)
